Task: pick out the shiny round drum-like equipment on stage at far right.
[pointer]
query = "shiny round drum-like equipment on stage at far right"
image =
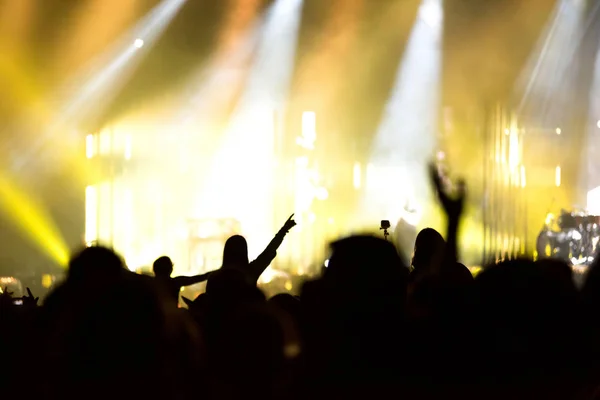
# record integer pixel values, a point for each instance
(572, 237)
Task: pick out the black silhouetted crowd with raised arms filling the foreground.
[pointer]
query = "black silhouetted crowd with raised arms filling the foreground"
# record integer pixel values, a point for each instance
(370, 326)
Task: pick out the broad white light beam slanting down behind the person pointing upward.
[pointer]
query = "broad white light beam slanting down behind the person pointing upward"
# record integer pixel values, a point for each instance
(249, 136)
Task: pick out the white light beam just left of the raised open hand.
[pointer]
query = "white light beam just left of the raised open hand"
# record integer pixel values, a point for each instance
(406, 138)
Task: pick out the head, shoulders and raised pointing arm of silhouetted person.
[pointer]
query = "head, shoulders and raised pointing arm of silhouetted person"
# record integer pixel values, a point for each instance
(235, 253)
